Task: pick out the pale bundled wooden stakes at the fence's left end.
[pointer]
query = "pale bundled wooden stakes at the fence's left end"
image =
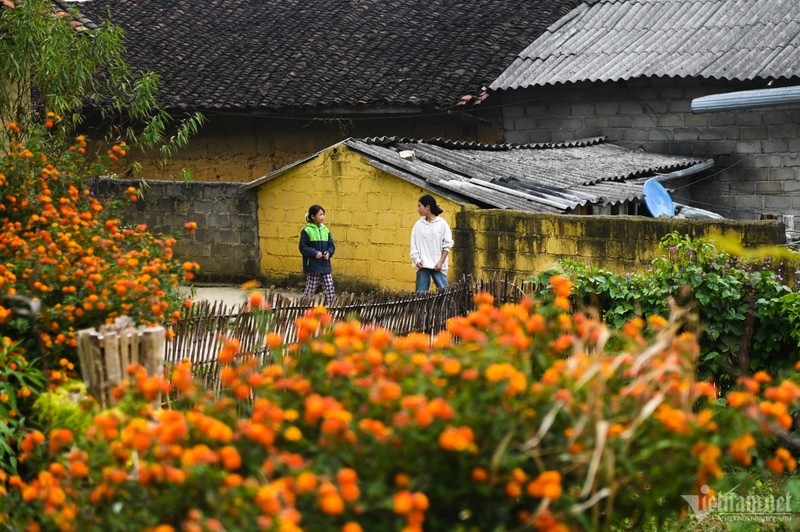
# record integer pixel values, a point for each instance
(106, 354)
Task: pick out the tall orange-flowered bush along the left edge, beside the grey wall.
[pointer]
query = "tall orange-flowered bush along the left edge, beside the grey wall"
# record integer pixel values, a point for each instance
(68, 263)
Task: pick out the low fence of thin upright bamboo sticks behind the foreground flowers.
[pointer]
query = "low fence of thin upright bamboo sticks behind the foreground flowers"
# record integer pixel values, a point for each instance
(197, 335)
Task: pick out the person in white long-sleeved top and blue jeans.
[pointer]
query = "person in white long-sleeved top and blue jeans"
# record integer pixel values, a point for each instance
(431, 242)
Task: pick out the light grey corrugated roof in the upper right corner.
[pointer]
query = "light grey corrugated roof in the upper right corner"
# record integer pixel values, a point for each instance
(611, 40)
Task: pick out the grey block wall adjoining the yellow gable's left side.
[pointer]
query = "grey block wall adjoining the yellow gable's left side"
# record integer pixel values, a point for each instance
(225, 243)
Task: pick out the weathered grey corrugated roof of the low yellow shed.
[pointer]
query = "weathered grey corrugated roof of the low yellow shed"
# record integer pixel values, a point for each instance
(555, 178)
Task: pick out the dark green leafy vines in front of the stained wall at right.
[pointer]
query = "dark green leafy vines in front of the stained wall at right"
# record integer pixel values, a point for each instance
(748, 316)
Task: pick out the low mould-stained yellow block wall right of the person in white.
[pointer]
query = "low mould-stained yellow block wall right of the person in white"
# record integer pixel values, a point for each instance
(493, 242)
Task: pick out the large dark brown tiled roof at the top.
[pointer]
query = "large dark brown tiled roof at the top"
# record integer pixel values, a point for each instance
(311, 54)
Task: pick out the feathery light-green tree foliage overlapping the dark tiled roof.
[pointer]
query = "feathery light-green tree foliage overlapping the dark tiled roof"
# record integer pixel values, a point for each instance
(48, 66)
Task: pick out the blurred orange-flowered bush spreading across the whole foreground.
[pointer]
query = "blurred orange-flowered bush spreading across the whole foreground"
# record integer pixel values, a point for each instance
(518, 416)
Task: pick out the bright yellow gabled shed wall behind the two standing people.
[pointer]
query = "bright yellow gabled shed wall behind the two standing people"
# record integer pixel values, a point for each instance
(370, 214)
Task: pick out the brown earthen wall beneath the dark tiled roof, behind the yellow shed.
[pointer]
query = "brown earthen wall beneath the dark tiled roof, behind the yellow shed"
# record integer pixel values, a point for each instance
(244, 148)
